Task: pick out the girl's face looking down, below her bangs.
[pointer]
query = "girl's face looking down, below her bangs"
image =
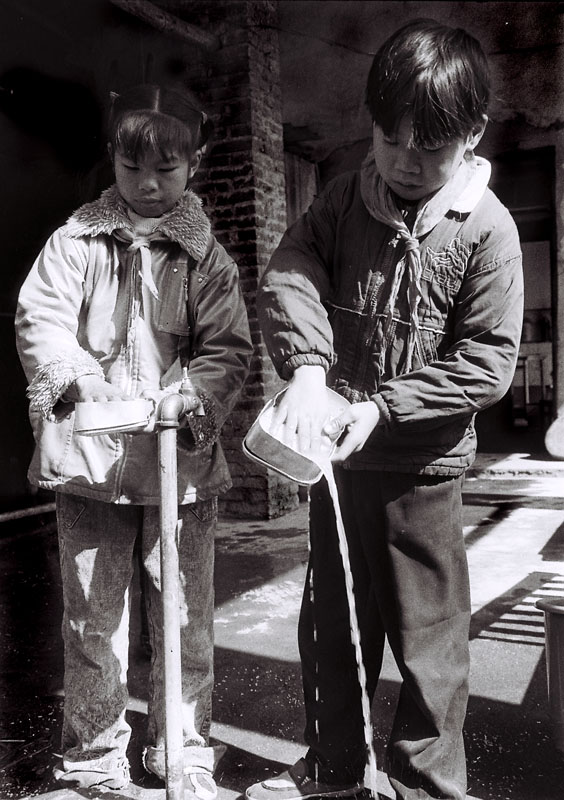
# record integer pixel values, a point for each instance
(151, 186)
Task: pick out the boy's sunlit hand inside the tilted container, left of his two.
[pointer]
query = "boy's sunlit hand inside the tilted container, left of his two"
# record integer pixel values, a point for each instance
(302, 409)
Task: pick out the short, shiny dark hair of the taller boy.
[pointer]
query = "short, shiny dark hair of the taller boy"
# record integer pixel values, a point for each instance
(437, 74)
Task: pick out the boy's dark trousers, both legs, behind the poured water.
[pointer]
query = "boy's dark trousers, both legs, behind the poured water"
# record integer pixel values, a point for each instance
(411, 585)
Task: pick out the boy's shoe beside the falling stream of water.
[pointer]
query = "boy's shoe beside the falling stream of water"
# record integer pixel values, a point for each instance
(295, 784)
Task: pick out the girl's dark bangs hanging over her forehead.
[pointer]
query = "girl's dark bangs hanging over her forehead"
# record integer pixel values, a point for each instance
(139, 133)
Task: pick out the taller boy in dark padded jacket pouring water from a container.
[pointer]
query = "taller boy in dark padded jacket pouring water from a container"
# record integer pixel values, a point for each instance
(401, 289)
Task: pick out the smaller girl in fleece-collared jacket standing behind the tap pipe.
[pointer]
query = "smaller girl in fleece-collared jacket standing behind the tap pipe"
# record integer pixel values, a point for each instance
(133, 289)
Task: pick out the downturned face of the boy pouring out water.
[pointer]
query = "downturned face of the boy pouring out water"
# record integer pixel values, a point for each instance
(415, 174)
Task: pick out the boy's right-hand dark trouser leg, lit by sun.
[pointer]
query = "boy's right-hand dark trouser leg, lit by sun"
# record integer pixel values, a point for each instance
(421, 582)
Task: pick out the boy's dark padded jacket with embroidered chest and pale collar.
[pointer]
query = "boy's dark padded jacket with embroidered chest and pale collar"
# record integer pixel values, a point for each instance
(323, 298)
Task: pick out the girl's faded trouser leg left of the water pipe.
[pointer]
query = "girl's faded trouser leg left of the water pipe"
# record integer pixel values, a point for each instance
(96, 550)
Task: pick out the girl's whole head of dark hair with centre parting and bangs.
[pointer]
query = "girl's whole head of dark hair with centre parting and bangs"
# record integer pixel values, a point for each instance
(159, 119)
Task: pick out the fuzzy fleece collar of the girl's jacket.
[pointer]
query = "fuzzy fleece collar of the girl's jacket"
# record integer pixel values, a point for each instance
(186, 224)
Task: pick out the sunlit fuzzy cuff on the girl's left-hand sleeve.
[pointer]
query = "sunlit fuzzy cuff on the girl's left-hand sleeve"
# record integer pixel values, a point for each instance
(53, 377)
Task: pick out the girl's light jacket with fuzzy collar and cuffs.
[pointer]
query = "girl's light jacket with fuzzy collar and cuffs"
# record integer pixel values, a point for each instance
(84, 309)
